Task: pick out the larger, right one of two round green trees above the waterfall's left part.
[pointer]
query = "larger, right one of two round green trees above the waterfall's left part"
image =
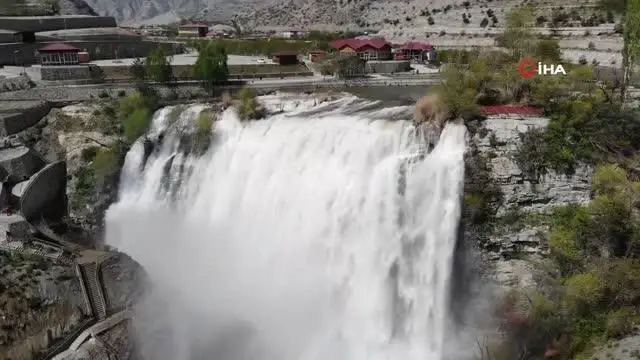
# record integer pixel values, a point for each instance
(211, 66)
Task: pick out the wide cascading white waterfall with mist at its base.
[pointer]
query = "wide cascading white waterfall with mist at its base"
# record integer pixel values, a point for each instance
(310, 235)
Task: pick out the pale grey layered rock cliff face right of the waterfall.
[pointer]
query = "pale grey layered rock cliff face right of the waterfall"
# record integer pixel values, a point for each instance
(518, 239)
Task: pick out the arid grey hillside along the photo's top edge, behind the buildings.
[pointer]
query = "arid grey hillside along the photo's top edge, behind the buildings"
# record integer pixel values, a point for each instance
(330, 14)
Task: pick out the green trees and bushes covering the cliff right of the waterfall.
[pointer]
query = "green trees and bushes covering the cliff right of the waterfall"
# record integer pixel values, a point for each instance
(592, 293)
